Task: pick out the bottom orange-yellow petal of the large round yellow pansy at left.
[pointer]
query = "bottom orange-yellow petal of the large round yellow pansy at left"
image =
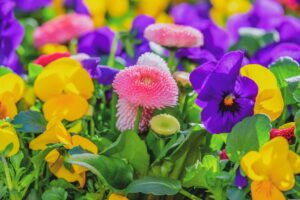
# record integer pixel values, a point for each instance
(65, 106)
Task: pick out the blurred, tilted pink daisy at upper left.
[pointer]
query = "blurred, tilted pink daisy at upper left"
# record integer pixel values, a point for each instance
(62, 29)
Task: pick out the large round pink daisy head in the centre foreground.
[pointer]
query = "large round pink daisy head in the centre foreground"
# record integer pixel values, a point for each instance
(146, 86)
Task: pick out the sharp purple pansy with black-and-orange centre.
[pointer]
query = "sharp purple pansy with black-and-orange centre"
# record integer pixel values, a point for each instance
(225, 96)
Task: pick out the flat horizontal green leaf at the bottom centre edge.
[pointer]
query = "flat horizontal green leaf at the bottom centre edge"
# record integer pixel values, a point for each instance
(155, 185)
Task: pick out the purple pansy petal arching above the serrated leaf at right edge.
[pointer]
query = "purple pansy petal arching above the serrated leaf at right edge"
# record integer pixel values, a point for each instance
(270, 53)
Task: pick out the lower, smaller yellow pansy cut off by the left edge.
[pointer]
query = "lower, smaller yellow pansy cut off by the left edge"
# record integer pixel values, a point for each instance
(8, 136)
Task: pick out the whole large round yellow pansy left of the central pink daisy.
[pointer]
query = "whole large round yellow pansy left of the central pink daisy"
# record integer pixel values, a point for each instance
(64, 85)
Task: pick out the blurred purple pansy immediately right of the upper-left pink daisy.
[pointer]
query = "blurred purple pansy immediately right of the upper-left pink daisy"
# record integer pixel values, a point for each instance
(98, 42)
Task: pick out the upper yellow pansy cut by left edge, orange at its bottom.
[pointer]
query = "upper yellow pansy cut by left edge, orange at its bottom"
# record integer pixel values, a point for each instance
(11, 91)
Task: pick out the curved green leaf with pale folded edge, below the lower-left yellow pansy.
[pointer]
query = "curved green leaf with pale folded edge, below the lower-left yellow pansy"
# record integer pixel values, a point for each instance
(113, 172)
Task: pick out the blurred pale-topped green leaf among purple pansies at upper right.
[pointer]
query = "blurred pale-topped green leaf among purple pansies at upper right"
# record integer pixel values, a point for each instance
(252, 39)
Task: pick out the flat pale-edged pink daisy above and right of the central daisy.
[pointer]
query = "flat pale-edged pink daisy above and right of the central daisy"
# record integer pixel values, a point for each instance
(172, 35)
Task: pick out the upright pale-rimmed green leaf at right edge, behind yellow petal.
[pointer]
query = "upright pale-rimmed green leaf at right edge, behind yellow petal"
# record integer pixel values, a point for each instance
(283, 69)
